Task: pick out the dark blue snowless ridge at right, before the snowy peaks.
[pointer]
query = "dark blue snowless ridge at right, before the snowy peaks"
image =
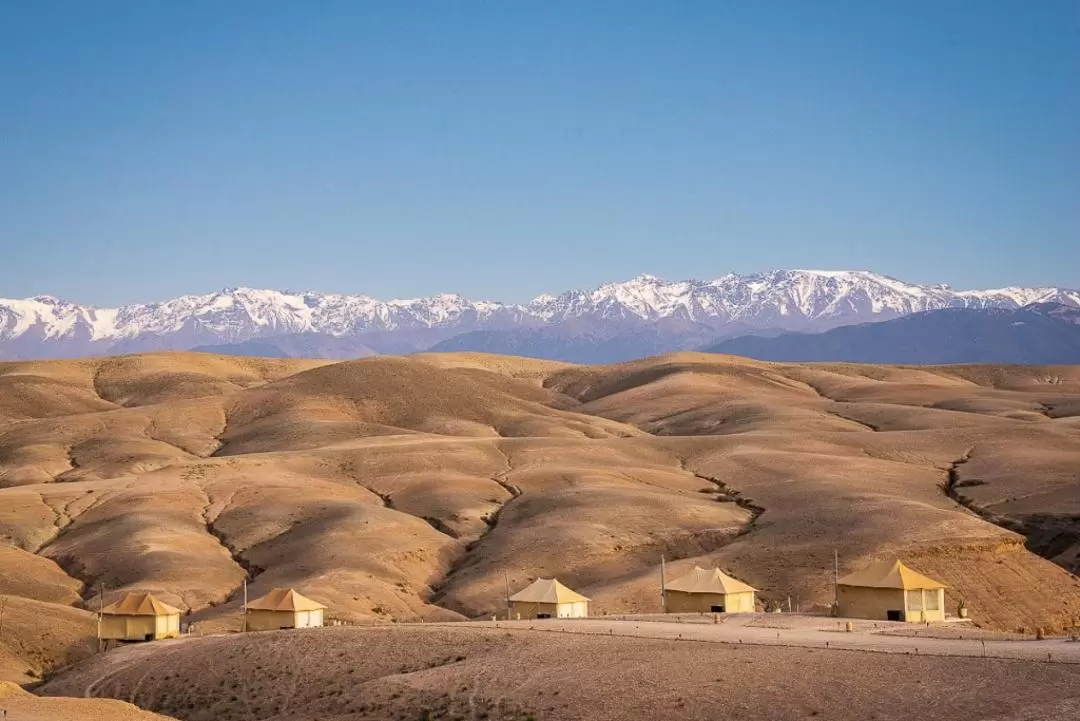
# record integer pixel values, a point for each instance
(1041, 334)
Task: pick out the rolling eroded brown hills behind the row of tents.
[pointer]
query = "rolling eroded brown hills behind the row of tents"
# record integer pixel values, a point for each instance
(414, 488)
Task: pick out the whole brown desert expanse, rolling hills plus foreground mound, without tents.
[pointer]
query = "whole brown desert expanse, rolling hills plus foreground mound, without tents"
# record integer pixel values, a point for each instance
(399, 491)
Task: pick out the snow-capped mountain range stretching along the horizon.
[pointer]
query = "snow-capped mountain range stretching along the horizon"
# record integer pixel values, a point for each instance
(357, 324)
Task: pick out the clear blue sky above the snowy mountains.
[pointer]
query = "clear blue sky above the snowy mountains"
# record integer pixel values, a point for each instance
(503, 149)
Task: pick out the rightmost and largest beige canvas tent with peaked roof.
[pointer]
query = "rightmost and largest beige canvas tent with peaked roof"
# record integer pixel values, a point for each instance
(889, 591)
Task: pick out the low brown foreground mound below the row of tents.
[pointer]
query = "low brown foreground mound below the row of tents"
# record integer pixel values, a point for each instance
(498, 674)
